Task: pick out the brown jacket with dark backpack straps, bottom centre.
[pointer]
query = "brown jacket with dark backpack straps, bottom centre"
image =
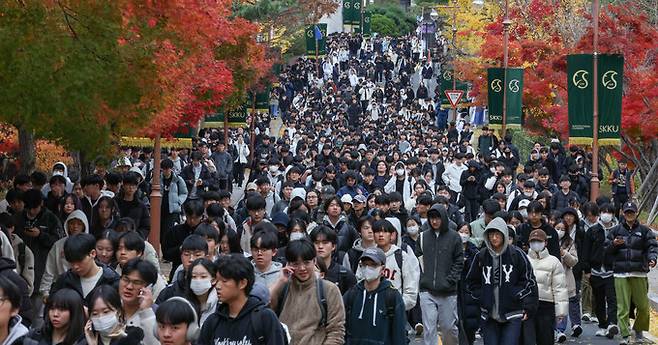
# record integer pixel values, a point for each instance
(301, 313)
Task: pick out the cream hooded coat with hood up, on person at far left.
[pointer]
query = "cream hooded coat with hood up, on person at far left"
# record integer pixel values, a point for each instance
(56, 264)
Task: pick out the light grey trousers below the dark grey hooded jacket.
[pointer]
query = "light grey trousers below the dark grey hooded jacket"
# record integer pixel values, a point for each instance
(441, 310)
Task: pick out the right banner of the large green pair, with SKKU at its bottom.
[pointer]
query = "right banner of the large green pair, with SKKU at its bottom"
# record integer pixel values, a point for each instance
(611, 76)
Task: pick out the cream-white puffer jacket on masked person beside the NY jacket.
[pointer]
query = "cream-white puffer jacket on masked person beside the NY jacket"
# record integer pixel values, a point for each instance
(551, 281)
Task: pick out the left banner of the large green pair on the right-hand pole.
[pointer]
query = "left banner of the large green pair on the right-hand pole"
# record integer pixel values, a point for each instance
(580, 98)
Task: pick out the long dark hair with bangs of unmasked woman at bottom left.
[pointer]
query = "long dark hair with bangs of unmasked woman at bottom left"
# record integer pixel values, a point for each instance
(66, 299)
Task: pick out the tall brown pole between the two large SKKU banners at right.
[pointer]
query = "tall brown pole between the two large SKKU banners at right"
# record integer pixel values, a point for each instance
(595, 121)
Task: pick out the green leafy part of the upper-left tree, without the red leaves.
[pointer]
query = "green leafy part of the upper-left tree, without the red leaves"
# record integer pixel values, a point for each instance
(61, 68)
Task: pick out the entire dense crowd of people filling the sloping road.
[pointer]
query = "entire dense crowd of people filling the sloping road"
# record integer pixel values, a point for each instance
(366, 219)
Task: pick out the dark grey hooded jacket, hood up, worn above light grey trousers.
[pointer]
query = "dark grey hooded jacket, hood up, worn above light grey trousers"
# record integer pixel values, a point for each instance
(442, 255)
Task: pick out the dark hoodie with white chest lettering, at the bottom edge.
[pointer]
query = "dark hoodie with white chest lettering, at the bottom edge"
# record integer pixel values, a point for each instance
(221, 329)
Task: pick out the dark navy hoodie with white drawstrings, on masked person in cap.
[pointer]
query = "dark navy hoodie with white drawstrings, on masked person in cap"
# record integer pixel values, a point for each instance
(367, 320)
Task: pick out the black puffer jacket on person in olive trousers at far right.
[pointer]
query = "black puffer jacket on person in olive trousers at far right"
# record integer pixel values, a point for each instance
(634, 254)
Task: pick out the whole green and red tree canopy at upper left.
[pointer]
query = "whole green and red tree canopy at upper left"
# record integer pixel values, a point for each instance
(84, 72)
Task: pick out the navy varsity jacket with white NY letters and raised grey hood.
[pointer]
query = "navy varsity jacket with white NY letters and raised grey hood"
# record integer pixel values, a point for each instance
(502, 282)
